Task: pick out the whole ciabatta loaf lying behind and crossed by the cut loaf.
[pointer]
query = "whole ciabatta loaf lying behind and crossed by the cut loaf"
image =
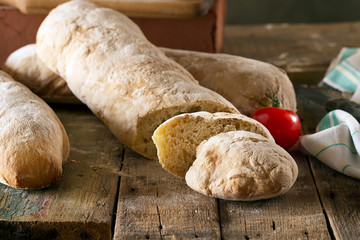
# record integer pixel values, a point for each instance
(244, 82)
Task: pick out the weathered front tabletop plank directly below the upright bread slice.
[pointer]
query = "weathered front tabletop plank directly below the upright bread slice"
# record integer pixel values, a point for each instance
(154, 204)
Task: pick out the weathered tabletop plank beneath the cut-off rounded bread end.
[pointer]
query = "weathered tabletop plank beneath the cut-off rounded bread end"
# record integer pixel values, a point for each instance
(295, 215)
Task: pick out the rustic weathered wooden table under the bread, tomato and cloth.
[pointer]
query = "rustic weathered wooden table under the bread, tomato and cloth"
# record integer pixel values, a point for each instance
(108, 191)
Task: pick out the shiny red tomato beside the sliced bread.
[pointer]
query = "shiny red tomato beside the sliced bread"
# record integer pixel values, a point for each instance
(284, 125)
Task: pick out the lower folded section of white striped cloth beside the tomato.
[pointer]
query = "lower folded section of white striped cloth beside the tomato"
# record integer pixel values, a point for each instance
(336, 142)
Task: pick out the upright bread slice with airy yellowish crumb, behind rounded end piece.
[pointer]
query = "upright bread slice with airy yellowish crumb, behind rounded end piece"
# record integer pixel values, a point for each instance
(176, 139)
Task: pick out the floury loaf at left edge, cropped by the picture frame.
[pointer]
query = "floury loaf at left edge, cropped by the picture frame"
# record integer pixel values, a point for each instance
(33, 142)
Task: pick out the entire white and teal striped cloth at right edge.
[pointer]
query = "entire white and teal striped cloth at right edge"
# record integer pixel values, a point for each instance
(337, 139)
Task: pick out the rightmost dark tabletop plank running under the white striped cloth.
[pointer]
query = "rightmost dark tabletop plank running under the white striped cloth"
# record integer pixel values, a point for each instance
(339, 194)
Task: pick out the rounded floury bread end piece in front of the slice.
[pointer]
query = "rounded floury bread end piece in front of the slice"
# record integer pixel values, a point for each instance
(241, 165)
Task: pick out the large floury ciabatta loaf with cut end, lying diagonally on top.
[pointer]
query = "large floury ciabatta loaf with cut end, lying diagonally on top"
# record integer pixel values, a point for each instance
(125, 80)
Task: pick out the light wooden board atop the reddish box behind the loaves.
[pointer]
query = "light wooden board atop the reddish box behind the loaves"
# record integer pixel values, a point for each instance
(132, 8)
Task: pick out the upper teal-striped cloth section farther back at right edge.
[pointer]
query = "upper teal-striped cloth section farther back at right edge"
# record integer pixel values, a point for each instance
(343, 73)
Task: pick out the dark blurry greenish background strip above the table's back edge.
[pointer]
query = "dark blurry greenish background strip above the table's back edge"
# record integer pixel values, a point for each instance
(291, 11)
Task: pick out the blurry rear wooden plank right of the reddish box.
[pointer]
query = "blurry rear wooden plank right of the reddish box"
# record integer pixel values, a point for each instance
(303, 50)
